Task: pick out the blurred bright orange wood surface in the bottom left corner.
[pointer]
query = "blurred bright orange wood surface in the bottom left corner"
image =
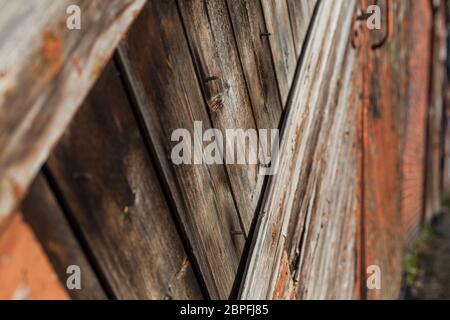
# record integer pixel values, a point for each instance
(25, 272)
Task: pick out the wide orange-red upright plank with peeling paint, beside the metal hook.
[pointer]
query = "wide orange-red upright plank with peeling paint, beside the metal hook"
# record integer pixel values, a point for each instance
(386, 98)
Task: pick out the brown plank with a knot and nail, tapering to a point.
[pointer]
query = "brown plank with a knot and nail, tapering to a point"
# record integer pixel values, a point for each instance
(210, 35)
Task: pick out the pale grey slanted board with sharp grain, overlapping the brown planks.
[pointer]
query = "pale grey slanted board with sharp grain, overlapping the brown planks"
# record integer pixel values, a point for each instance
(318, 76)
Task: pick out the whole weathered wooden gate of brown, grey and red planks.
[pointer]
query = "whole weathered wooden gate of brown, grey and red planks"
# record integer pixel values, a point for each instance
(360, 113)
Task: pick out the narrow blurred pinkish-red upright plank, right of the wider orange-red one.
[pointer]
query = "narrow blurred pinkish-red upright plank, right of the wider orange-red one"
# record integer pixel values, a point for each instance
(419, 42)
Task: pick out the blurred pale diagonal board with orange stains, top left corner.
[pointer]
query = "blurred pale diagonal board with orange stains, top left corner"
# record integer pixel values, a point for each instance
(45, 74)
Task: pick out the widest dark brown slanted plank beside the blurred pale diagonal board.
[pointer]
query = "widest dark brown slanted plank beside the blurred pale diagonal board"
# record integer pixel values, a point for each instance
(111, 188)
